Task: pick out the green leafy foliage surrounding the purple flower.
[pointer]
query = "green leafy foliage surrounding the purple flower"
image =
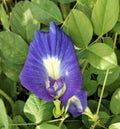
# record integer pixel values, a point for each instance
(94, 26)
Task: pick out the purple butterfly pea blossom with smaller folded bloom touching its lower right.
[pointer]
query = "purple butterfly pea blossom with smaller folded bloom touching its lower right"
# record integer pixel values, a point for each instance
(52, 71)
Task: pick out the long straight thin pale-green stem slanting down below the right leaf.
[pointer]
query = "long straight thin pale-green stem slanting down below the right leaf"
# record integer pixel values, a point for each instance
(102, 91)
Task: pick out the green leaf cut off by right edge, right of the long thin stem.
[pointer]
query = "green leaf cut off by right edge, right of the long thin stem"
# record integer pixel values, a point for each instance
(115, 102)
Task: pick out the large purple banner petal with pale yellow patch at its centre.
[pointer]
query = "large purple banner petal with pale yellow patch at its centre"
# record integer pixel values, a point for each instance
(51, 54)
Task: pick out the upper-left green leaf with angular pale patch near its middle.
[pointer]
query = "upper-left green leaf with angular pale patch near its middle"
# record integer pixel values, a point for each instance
(22, 21)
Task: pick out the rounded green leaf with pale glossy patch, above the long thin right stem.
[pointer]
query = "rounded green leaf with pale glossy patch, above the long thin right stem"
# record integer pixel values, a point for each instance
(101, 56)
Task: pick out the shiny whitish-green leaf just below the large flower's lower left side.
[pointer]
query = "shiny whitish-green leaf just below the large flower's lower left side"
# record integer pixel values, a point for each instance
(38, 110)
